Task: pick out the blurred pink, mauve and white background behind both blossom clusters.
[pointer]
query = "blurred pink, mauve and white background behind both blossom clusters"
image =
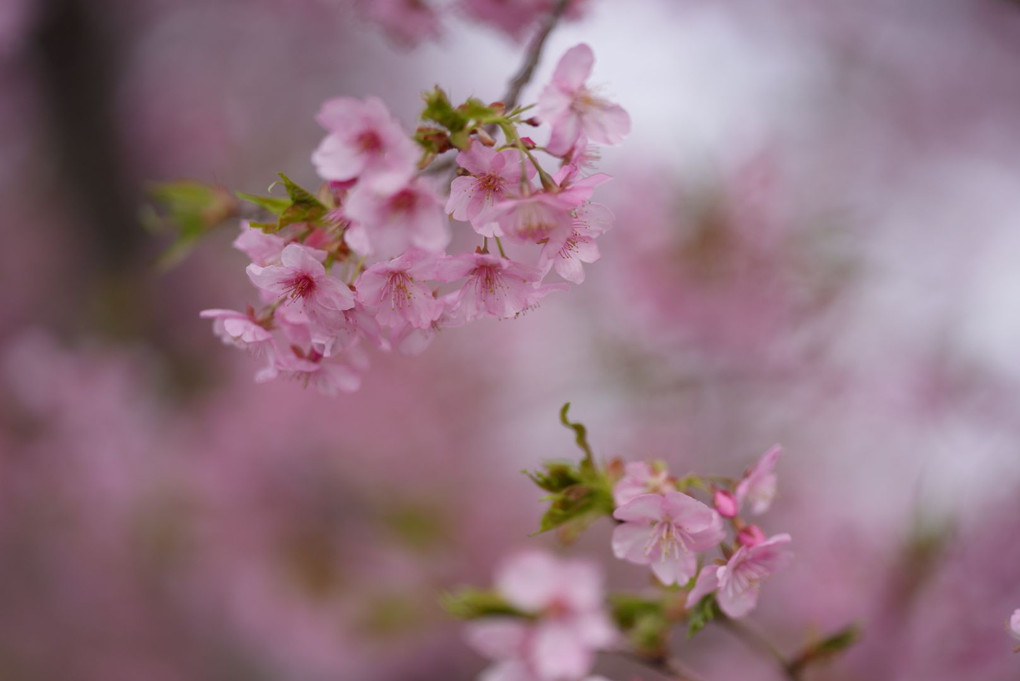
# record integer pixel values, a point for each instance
(818, 231)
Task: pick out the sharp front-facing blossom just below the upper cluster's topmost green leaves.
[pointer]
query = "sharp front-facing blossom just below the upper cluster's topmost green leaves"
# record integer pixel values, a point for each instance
(494, 176)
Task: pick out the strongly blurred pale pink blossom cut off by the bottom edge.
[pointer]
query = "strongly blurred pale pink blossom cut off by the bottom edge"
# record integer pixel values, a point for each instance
(567, 601)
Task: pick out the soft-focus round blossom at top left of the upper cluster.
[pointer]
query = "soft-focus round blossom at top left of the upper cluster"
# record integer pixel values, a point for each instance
(365, 141)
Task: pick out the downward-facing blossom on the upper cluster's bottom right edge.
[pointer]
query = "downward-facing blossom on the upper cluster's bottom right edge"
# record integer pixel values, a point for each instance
(495, 288)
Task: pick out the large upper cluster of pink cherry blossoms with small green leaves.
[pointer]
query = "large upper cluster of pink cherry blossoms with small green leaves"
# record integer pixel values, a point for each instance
(366, 259)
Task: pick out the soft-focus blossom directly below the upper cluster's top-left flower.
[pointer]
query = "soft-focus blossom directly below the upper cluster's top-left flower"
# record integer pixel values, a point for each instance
(387, 224)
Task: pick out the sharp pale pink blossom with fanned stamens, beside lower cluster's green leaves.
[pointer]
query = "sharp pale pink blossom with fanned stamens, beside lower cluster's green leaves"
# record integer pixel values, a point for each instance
(667, 532)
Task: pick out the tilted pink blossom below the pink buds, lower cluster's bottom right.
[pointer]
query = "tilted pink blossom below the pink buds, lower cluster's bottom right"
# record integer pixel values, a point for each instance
(737, 585)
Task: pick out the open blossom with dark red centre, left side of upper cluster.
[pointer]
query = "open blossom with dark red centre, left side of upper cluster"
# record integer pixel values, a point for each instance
(308, 288)
